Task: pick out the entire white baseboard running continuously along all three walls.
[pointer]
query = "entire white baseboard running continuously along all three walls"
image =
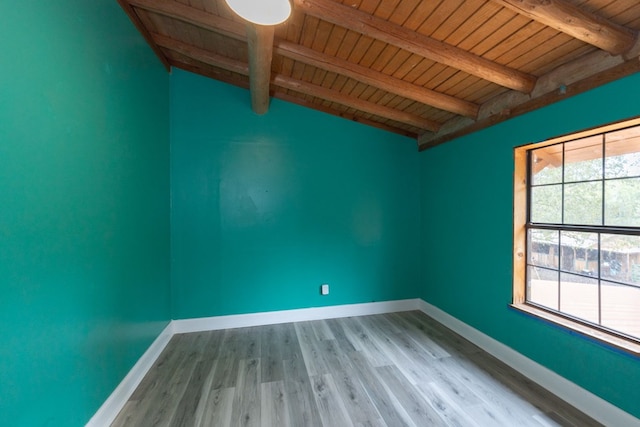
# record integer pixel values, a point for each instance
(592, 405)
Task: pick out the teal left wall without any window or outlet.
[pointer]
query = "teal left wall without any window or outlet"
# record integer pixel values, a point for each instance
(84, 207)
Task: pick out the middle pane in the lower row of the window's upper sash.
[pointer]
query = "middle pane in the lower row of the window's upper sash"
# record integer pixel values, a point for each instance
(583, 203)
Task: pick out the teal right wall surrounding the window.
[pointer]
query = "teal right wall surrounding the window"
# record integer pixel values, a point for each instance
(467, 205)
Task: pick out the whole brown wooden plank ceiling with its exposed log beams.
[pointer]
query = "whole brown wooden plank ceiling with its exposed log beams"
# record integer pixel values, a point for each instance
(433, 70)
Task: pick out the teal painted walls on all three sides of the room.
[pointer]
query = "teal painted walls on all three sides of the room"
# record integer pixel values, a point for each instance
(264, 210)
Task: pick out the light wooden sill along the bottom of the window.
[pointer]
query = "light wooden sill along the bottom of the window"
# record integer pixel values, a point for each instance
(622, 344)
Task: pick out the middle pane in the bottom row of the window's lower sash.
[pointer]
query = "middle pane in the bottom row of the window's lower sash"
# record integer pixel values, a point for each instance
(579, 297)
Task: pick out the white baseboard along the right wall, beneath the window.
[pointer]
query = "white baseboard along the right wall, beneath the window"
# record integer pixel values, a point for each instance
(592, 405)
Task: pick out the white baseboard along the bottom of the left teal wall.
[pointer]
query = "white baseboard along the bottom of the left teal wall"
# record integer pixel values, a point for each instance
(119, 397)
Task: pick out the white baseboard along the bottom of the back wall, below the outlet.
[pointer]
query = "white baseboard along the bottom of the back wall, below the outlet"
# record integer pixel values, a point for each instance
(298, 315)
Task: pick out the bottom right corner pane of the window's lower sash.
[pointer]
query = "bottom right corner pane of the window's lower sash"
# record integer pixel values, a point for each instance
(621, 308)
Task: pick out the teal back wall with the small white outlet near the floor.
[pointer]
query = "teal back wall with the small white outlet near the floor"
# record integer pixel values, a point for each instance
(266, 208)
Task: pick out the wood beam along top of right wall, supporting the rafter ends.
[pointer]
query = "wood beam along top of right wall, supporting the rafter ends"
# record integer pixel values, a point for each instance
(581, 75)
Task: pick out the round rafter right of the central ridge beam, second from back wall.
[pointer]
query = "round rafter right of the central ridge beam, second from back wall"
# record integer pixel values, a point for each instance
(376, 78)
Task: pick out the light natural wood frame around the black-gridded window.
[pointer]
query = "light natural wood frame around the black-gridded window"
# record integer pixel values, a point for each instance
(520, 202)
